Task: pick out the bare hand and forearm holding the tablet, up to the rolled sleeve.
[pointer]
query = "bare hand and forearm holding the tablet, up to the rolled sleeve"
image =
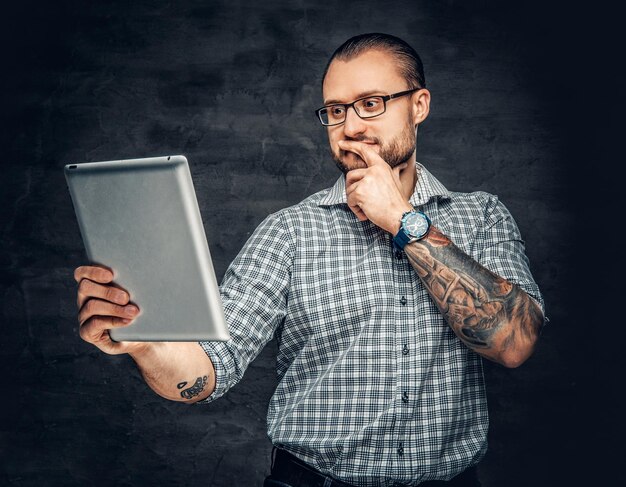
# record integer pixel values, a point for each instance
(179, 371)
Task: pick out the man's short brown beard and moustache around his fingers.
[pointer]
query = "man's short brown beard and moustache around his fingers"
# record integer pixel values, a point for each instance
(397, 151)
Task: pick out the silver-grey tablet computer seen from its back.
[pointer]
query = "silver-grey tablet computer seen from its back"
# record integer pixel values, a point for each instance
(140, 218)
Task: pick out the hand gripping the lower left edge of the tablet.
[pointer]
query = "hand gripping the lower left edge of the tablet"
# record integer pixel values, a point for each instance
(102, 306)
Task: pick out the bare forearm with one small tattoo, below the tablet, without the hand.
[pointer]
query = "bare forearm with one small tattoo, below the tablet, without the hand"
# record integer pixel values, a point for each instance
(179, 371)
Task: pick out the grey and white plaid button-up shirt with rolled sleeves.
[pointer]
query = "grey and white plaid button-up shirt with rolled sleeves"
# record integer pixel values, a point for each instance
(374, 387)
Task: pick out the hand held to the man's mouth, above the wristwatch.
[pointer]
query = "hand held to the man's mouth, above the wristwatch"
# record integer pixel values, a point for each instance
(375, 193)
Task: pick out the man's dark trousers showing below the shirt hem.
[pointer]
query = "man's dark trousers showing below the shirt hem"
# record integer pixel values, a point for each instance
(290, 471)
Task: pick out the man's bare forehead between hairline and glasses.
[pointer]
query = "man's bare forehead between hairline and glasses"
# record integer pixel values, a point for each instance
(374, 70)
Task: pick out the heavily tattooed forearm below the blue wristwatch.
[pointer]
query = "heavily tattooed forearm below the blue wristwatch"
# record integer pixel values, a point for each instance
(492, 316)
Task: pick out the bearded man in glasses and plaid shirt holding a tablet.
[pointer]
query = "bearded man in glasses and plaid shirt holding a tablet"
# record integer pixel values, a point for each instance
(384, 292)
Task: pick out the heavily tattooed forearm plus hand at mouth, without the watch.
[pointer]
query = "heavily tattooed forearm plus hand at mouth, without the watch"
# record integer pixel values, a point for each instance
(491, 315)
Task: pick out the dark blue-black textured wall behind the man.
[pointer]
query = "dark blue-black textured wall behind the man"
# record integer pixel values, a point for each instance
(524, 106)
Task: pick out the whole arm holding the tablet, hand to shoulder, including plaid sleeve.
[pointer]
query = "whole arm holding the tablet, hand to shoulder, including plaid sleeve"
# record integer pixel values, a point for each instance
(254, 294)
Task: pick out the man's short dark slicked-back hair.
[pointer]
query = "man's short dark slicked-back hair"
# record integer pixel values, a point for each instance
(409, 61)
